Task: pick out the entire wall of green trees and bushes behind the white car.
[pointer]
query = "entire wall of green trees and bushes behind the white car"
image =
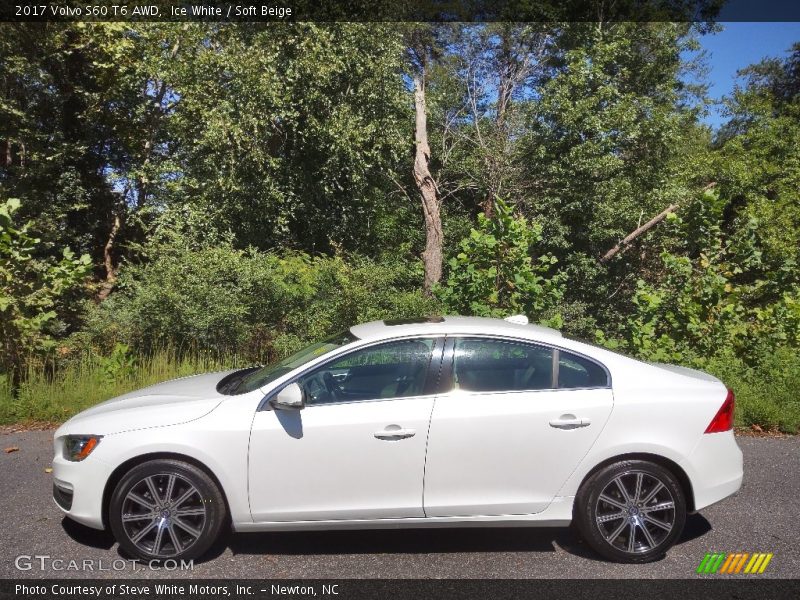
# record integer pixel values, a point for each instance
(205, 194)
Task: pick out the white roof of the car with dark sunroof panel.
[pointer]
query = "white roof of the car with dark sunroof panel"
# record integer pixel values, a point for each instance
(378, 330)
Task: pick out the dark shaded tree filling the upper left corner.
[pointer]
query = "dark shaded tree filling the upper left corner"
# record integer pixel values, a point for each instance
(61, 98)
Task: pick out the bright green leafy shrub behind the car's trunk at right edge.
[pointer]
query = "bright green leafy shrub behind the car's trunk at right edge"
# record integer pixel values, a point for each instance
(717, 295)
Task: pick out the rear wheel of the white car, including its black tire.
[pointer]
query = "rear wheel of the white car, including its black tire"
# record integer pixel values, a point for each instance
(610, 535)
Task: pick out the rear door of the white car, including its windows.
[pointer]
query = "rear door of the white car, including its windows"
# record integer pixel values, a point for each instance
(516, 422)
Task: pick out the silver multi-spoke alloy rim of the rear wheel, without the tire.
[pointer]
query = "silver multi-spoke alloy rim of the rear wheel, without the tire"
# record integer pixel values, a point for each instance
(635, 512)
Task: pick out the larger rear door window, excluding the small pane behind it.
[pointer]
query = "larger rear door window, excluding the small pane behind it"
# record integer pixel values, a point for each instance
(485, 365)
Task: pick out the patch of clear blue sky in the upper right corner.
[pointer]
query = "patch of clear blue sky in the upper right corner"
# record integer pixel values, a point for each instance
(739, 45)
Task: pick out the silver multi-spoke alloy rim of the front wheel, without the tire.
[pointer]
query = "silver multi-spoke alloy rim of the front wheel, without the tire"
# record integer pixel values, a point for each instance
(163, 515)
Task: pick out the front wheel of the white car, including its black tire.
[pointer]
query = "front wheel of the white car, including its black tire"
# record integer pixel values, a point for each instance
(167, 528)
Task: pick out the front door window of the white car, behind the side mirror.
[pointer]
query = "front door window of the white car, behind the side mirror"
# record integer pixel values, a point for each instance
(392, 370)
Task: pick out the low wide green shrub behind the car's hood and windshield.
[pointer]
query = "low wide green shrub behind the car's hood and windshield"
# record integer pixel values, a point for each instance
(249, 303)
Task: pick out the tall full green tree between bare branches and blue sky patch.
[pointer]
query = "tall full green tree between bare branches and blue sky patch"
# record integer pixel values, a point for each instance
(610, 141)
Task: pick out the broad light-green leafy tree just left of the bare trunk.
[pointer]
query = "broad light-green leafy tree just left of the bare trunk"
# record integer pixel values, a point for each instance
(284, 134)
